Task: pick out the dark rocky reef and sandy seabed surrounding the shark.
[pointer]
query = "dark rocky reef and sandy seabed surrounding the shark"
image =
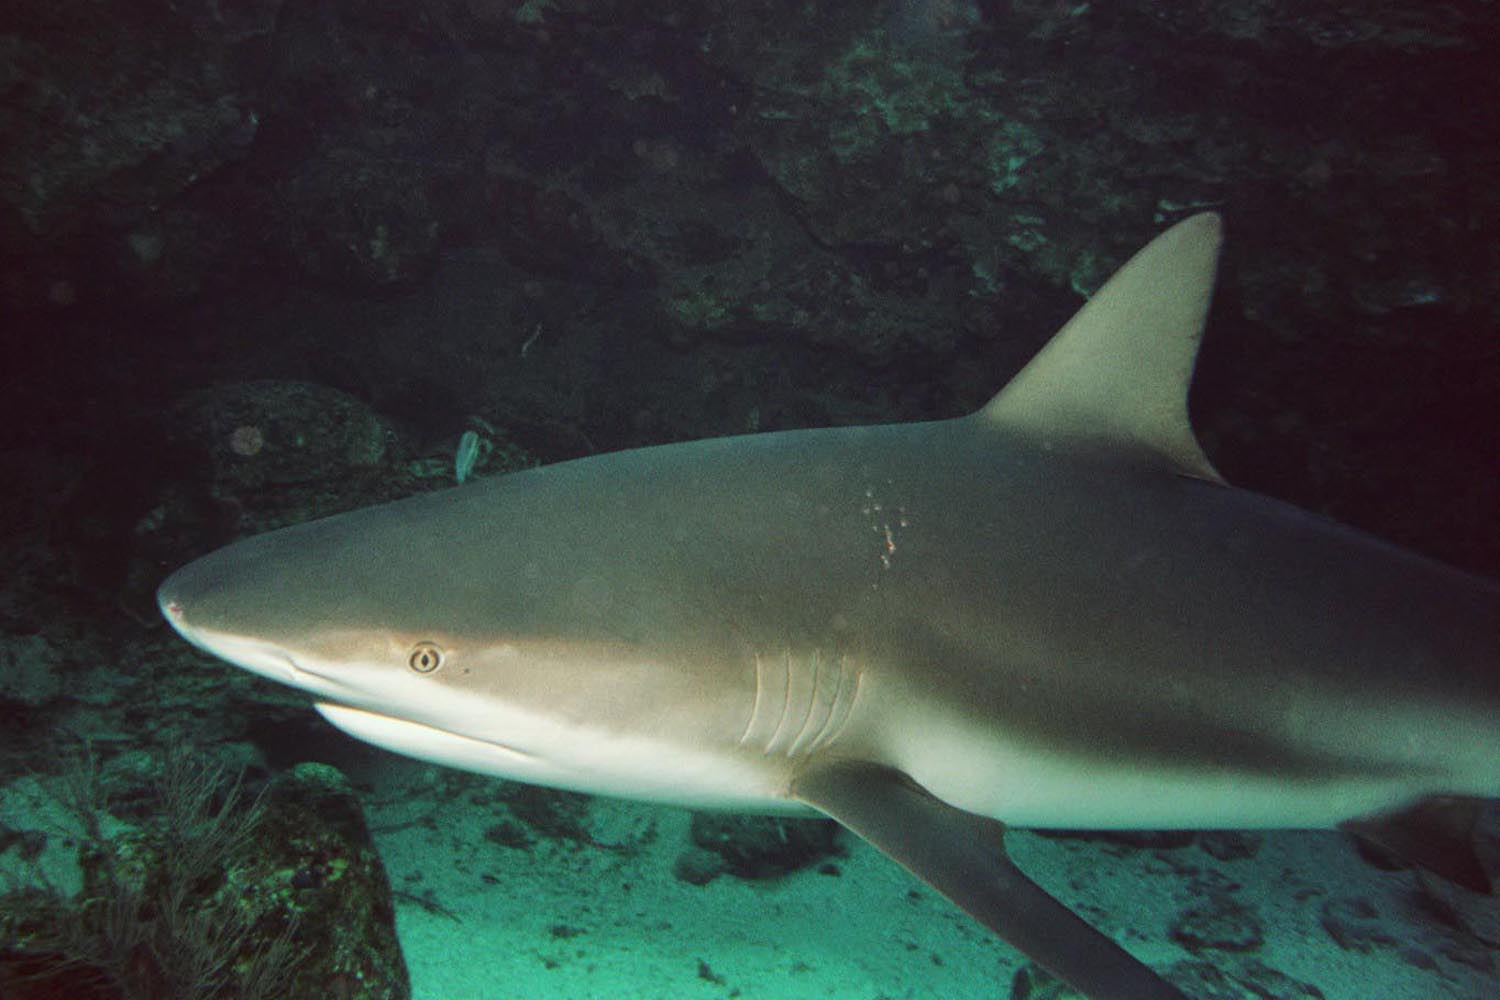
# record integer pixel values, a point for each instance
(271, 260)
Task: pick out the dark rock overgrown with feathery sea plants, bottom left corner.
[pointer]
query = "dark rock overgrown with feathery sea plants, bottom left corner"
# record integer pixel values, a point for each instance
(212, 891)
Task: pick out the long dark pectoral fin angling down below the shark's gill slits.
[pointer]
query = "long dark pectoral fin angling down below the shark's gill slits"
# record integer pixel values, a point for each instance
(962, 857)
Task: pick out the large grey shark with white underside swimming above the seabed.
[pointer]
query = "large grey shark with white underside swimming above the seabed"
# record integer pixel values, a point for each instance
(1049, 614)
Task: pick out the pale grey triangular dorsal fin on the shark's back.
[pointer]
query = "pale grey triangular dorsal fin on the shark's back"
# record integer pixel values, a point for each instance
(1118, 373)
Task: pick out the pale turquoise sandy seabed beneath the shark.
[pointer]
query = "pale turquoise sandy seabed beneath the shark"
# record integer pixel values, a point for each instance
(481, 921)
